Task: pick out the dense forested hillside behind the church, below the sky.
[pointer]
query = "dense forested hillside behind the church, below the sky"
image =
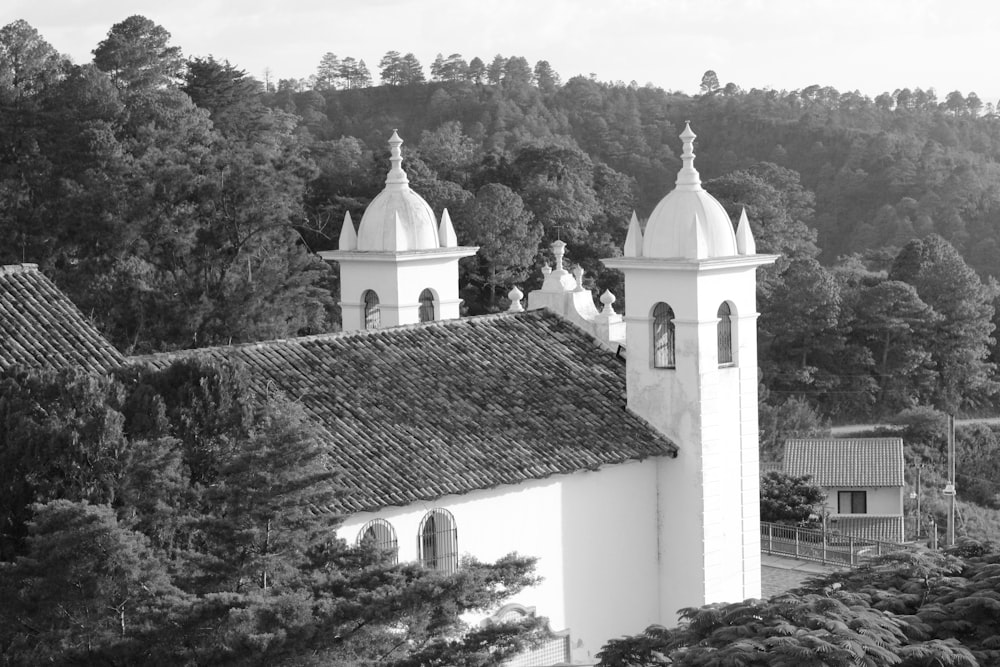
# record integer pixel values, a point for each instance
(180, 202)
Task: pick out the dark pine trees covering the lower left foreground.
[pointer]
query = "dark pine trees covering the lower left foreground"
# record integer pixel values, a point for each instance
(172, 517)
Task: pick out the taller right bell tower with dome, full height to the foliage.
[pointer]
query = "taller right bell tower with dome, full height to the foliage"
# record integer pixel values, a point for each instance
(691, 368)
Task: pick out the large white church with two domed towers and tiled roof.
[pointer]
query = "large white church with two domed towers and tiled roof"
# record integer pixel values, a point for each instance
(619, 451)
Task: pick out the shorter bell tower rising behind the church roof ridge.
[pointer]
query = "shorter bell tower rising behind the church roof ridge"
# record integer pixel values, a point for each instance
(401, 265)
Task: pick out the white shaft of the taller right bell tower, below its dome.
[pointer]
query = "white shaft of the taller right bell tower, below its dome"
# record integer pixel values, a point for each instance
(710, 412)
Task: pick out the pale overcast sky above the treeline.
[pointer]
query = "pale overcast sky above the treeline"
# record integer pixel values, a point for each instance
(866, 45)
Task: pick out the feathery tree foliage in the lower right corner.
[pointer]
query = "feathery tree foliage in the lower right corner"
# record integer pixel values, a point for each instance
(905, 609)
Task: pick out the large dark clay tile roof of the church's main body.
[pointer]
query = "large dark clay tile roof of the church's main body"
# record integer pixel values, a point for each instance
(417, 412)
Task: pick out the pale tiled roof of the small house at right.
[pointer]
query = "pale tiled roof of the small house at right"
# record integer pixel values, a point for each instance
(847, 461)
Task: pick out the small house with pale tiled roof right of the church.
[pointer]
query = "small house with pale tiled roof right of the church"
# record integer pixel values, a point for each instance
(863, 481)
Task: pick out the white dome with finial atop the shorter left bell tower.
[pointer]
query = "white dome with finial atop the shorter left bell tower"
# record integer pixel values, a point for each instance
(398, 218)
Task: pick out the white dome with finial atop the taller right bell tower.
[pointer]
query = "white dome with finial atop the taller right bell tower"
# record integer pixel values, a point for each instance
(689, 223)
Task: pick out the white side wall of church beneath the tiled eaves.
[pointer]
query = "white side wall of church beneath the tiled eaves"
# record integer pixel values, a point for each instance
(594, 534)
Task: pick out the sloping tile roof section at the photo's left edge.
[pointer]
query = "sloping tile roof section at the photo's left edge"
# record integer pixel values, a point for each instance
(40, 326)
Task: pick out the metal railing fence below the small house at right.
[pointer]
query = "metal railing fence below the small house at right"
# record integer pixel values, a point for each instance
(822, 546)
